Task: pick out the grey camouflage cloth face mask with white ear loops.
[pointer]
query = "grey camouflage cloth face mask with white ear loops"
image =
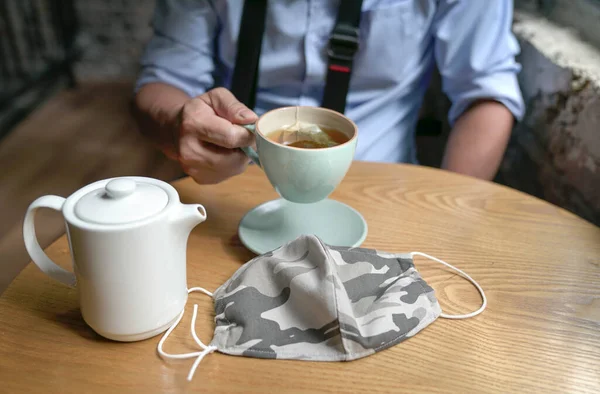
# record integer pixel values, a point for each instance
(310, 301)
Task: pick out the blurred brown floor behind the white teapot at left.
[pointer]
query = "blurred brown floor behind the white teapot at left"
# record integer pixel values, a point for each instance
(78, 136)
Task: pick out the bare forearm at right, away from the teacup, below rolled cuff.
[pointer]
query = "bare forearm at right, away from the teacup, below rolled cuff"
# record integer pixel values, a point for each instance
(478, 140)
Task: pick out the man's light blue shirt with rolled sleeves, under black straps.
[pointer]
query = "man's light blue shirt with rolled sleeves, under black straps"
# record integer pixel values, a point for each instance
(194, 47)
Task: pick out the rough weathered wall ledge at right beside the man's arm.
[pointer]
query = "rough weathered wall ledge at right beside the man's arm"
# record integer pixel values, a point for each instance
(555, 151)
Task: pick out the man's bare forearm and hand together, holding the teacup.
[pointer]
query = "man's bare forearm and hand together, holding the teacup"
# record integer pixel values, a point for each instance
(202, 133)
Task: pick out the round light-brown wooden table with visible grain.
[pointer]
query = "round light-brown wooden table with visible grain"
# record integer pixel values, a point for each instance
(539, 265)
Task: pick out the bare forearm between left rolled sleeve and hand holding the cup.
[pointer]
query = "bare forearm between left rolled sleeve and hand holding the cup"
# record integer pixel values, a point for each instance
(156, 107)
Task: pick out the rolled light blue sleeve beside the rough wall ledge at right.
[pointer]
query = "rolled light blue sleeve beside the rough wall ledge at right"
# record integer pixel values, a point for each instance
(475, 52)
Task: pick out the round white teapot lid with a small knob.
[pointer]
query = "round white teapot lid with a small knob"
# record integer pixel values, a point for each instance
(121, 201)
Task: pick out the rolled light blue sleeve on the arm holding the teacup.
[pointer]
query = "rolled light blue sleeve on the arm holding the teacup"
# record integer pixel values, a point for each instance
(180, 51)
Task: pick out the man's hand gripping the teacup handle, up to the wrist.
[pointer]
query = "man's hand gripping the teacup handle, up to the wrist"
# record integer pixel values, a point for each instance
(209, 135)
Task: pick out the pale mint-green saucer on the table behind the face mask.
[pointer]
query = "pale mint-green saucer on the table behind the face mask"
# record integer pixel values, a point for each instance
(277, 222)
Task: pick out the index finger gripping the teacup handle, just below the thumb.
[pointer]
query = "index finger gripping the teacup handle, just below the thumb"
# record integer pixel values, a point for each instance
(199, 119)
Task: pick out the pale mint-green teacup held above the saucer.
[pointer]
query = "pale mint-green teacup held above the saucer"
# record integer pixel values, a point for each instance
(302, 175)
